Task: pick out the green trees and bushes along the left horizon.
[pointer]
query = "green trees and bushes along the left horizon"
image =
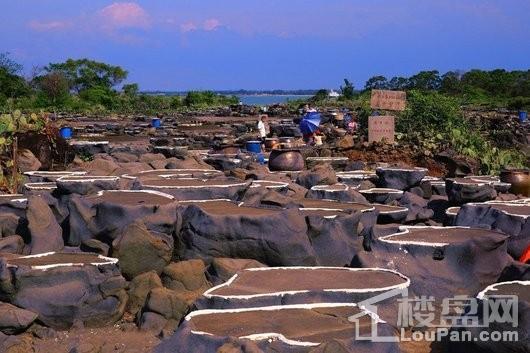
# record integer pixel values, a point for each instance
(91, 87)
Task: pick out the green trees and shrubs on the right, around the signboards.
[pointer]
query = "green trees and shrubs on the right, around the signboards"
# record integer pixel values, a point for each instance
(434, 119)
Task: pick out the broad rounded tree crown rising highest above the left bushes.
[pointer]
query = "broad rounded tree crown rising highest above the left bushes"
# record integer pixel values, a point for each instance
(84, 74)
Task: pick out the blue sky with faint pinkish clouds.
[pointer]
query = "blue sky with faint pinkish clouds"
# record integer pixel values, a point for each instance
(266, 44)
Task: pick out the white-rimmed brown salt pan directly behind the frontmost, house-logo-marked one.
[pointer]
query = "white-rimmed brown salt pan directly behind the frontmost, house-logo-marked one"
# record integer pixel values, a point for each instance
(301, 285)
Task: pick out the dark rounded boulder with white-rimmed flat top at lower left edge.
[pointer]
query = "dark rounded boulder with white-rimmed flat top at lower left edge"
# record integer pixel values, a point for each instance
(66, 288)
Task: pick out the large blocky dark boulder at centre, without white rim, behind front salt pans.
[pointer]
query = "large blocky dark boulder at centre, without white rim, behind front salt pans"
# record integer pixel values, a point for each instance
(271, 237)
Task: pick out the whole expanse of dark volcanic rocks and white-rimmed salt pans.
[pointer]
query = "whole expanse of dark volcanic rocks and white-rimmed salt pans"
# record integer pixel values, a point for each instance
(136, 227)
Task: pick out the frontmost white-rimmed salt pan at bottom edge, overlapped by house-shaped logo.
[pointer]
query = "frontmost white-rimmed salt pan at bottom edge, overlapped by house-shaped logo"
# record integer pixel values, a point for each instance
(286, 329)
